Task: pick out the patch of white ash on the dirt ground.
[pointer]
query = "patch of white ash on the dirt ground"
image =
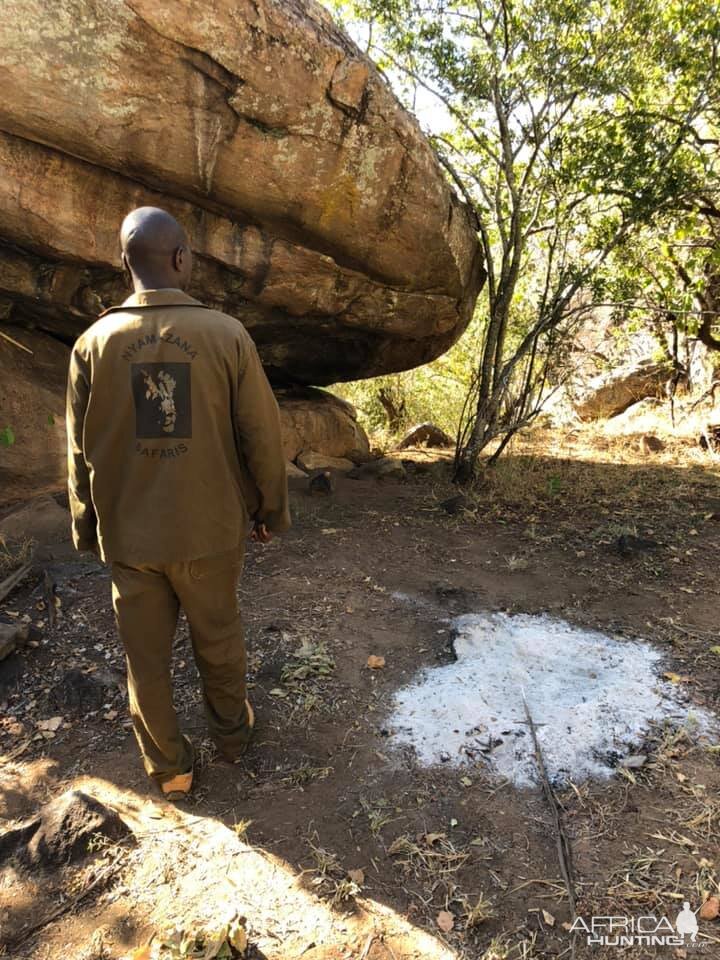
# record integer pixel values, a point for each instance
(593, 699)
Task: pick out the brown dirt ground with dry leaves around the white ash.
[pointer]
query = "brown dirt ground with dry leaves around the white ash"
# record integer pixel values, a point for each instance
(329, 843)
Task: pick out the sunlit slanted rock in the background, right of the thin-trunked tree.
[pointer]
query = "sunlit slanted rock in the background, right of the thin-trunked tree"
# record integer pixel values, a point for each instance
(608, 396)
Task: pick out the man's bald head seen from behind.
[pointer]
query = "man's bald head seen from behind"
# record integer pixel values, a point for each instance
(155, 249)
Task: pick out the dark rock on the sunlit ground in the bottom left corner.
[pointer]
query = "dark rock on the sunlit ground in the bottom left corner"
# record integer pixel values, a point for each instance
(61, 831)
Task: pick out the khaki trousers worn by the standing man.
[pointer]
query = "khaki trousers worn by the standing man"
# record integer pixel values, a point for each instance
(147, 600)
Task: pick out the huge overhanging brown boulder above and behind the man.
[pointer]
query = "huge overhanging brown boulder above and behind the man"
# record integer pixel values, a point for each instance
(319, 214)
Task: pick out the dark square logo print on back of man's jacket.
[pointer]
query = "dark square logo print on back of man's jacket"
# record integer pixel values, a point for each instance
(162, 400)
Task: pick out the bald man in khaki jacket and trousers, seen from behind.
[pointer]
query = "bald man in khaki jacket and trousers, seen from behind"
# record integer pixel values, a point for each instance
(173, 449)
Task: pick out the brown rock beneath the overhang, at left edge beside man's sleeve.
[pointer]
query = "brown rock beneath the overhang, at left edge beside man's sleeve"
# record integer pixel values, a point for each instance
(33, 372)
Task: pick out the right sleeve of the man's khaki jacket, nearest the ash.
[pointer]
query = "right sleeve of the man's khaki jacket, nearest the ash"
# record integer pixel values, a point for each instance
(259, 439)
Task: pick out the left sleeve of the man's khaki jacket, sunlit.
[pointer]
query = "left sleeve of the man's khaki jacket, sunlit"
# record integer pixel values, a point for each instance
(84, 521)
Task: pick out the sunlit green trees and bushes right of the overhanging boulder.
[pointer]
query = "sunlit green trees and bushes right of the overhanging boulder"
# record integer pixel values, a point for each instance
(585, 136)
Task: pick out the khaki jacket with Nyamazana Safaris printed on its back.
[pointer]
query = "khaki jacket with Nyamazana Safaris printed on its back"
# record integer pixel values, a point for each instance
(173, 433)
